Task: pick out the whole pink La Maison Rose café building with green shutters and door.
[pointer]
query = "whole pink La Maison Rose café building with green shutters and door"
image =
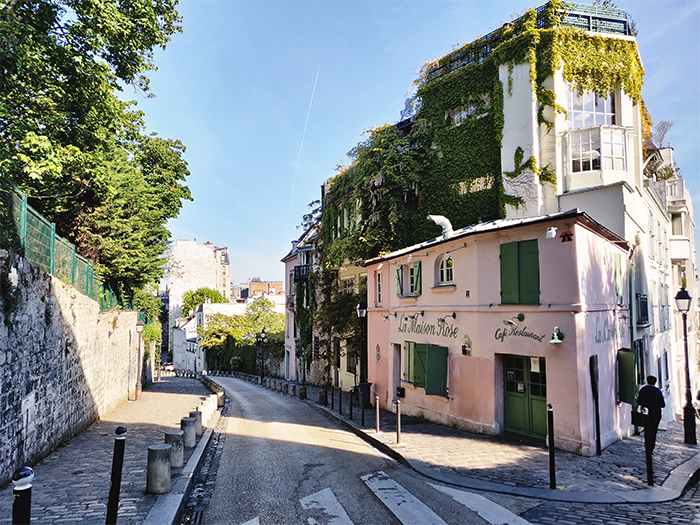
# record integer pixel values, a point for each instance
(485, 326)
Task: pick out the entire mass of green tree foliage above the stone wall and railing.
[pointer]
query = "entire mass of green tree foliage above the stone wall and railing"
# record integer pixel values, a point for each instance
(73, 146)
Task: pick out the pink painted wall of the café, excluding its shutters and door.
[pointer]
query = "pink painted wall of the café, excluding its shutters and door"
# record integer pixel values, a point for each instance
(577, 294)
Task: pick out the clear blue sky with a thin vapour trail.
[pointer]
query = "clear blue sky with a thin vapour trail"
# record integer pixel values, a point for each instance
(249, 79)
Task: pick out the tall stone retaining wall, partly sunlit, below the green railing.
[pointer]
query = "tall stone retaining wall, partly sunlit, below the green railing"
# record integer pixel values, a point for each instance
(63, 364)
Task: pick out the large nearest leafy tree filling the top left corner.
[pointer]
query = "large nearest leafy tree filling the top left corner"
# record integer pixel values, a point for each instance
(61, 62)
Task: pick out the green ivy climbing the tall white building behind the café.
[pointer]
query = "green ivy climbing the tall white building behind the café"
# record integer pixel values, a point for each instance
(447, 160)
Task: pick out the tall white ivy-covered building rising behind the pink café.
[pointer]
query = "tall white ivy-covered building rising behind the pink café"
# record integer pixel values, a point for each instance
(543, 114)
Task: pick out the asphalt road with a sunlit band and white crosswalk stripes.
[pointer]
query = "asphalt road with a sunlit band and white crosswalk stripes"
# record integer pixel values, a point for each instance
(283, 462)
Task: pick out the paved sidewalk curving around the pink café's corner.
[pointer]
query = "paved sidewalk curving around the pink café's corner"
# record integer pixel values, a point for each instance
(507, 466)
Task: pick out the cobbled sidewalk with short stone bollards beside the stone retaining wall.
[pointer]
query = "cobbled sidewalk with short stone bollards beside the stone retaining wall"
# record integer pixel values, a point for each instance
(72, 484)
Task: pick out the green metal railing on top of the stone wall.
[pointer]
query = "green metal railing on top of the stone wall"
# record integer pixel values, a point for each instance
(53, 254)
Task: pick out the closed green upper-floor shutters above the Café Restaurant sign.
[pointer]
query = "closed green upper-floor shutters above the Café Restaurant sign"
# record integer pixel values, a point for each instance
(520, 272)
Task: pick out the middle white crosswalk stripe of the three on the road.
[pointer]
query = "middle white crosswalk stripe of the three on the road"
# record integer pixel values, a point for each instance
(406, 507)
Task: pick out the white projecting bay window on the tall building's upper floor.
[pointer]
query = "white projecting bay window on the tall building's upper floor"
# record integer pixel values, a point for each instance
(595, 156)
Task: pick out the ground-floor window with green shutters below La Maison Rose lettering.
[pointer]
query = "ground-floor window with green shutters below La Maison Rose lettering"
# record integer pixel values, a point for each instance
(426, 367)
